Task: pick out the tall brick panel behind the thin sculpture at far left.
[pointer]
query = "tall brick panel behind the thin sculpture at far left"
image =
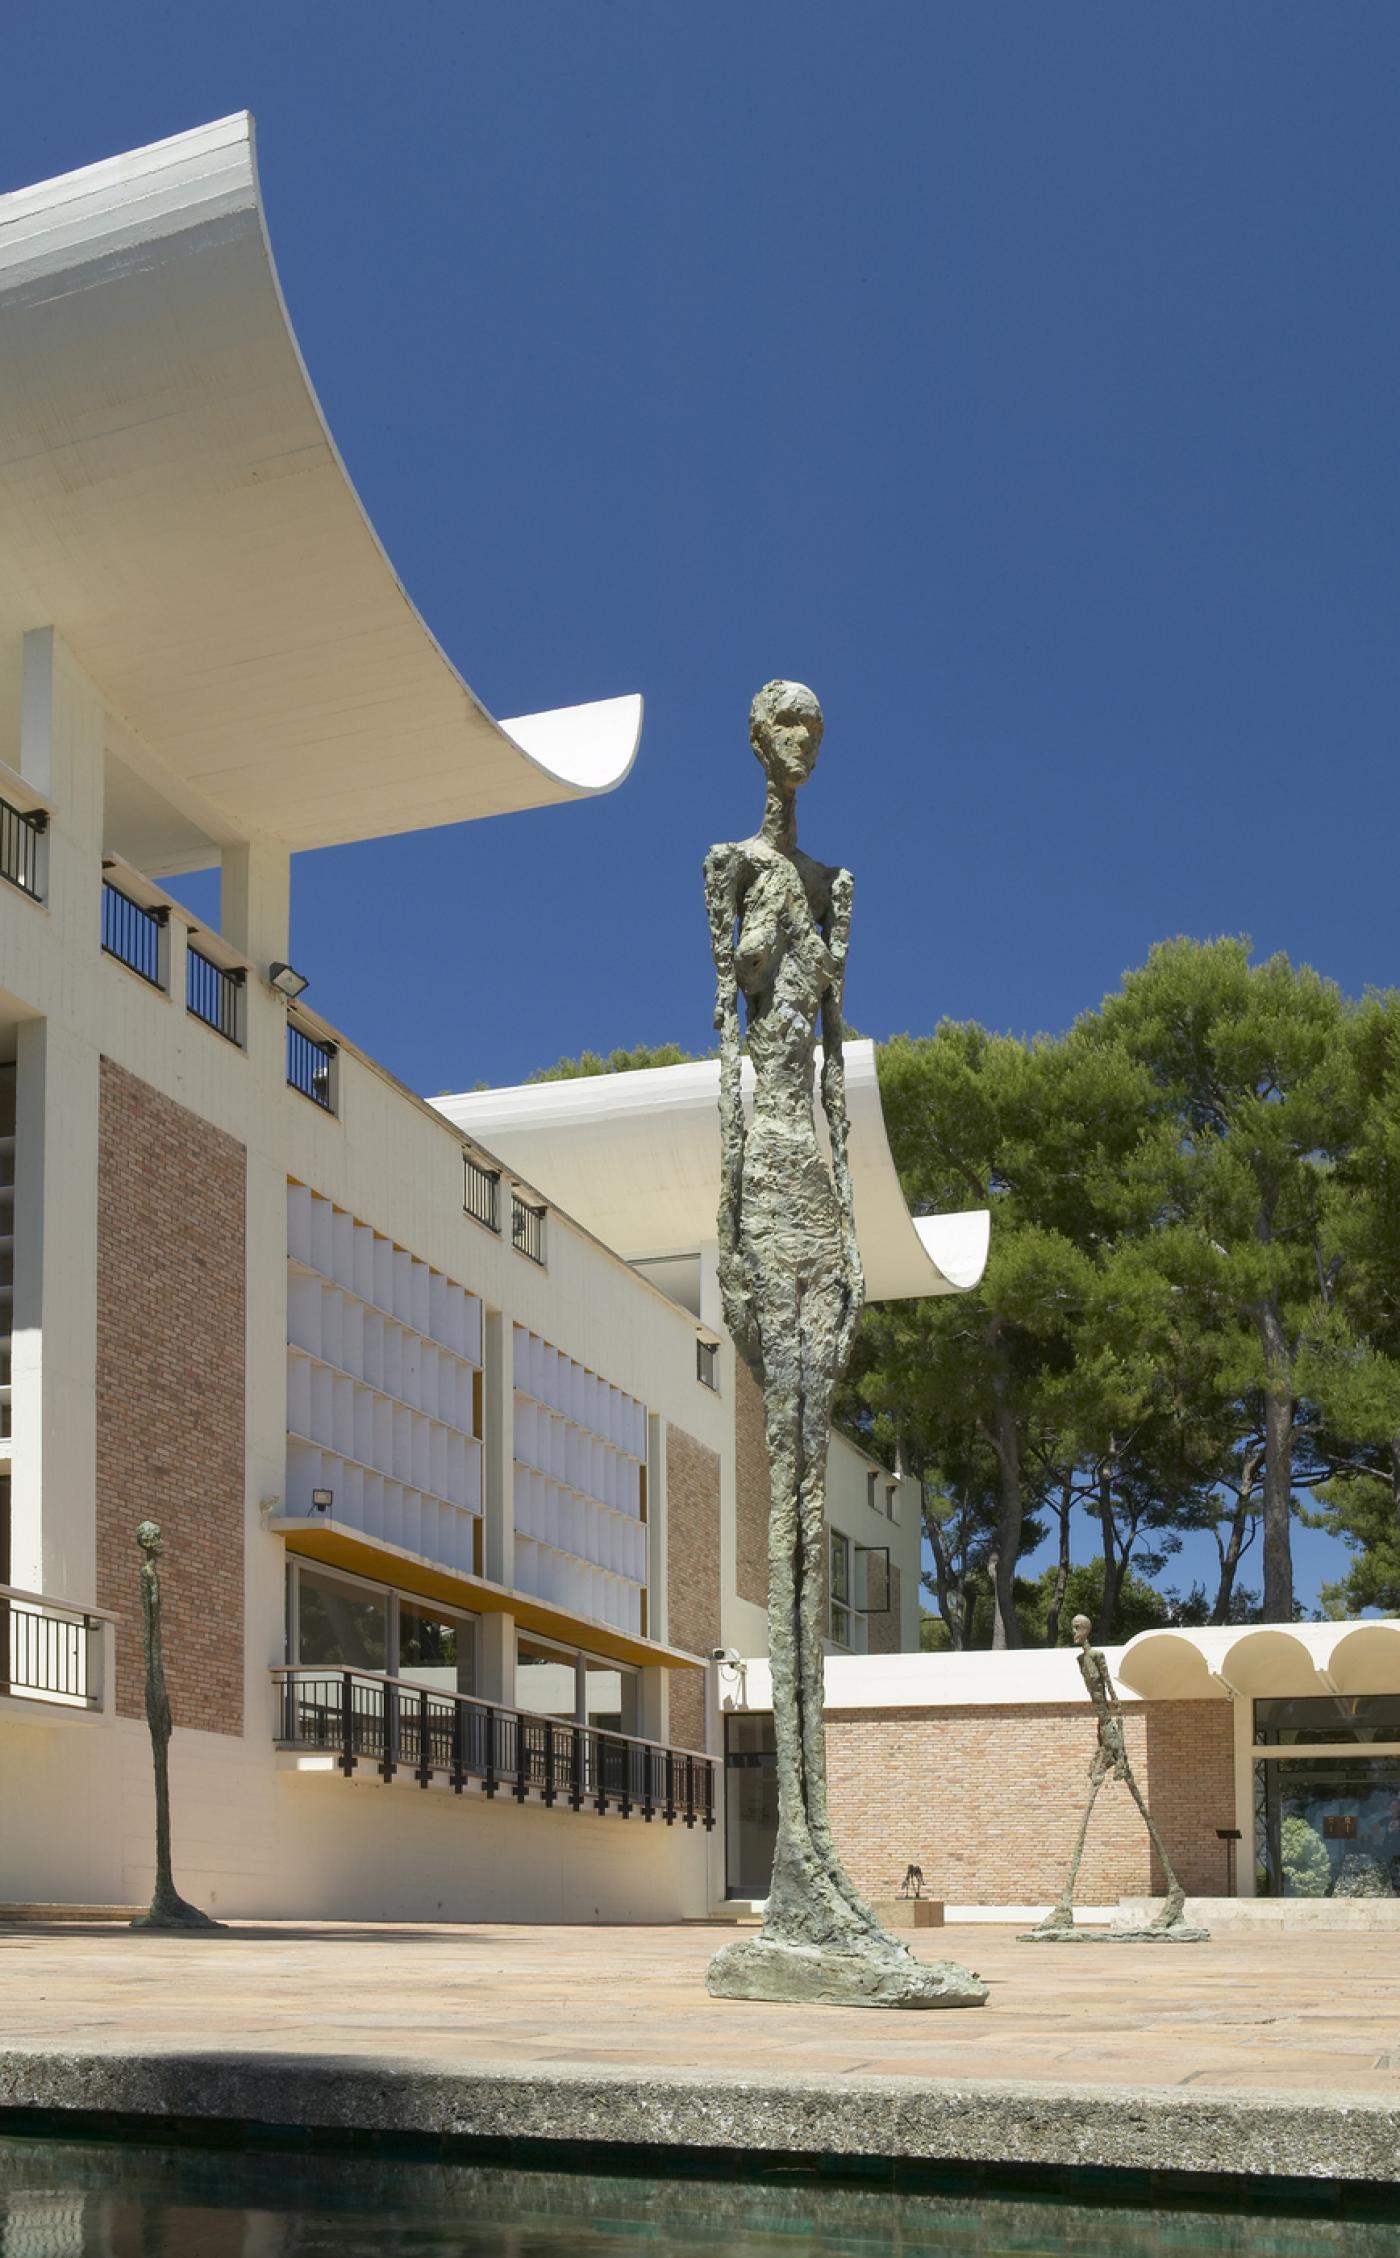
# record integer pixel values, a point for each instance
(170, 1394)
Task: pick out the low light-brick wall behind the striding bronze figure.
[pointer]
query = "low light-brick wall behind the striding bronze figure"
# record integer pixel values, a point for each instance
(988, 1801)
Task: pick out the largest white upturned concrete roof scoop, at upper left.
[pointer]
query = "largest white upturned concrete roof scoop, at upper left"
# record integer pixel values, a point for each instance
(186, 523)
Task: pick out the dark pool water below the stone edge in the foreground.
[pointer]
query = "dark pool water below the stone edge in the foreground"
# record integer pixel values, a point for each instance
(121, 2200)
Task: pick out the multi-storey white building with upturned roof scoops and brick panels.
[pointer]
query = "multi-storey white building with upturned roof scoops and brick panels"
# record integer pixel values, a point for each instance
(457, 1480)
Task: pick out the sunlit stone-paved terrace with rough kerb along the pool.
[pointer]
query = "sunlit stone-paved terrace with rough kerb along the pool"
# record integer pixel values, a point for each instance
(1243, 2056)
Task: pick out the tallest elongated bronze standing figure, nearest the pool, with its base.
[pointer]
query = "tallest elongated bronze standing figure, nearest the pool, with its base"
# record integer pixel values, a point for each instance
(791, 1288)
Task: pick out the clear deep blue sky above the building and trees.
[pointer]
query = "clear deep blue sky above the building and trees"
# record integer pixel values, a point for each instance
(1024, 378)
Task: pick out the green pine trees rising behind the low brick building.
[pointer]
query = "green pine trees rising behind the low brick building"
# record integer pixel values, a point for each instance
(1191, 1309)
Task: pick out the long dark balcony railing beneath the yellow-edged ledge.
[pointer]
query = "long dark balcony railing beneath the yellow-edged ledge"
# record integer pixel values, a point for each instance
(396, 1726)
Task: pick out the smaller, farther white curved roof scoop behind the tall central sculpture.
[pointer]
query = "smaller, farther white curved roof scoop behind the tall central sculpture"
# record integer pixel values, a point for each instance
(638, 1162)
